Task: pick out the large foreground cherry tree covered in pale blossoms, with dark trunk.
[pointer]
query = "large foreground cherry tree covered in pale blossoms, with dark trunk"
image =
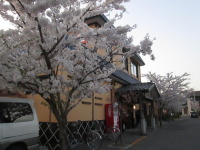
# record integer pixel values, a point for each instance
(44, 53)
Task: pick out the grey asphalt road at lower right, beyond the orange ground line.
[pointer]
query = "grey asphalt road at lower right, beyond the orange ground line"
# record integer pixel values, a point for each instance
(182, 134)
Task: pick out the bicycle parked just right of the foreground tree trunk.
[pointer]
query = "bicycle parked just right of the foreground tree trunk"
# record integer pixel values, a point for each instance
(92, 138)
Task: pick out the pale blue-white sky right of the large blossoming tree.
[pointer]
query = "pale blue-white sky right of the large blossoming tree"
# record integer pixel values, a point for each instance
(176, 26)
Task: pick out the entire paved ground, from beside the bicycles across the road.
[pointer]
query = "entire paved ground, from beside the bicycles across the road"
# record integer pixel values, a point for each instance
(181, 134)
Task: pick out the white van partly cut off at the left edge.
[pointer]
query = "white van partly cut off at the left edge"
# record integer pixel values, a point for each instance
(19, 127)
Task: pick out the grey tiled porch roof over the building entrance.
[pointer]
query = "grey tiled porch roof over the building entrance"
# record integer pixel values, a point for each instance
(148, 88)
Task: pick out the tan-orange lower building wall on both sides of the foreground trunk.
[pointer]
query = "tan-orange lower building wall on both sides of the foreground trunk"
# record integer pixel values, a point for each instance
(88, 109)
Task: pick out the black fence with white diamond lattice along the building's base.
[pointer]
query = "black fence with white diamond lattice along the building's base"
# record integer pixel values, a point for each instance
(49, 132)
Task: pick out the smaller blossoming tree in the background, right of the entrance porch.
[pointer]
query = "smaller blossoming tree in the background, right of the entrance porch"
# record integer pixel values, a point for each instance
(173, 89)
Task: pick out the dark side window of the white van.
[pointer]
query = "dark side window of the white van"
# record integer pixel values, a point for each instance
(15, 112)
